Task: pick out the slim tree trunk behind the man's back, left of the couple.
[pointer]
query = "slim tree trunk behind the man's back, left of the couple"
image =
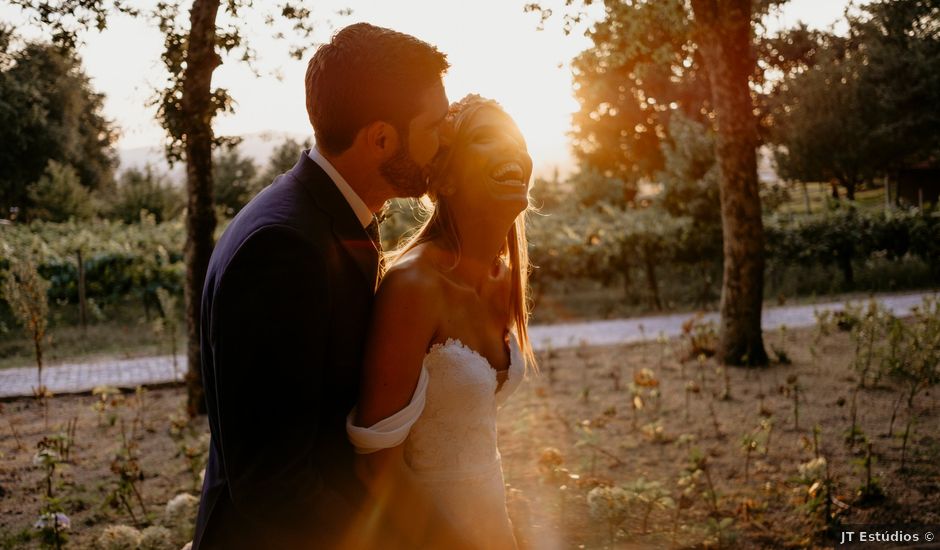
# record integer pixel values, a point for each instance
(201, 61)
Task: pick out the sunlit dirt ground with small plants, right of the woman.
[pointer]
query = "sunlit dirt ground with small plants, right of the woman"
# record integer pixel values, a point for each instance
(581, 405)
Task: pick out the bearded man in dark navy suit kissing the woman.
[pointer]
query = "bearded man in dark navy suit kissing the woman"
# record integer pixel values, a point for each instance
(288, 296)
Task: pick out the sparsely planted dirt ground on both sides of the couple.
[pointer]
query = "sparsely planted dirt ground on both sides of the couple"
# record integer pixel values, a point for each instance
(604, 432)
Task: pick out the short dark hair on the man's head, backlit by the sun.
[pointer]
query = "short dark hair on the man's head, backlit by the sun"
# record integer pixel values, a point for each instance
(364, 74)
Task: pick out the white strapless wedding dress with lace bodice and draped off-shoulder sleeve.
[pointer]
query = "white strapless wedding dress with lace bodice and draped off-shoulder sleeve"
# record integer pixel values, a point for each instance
(449, 435)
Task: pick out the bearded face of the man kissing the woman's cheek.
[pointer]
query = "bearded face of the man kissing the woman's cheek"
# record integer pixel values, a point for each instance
(406, 171)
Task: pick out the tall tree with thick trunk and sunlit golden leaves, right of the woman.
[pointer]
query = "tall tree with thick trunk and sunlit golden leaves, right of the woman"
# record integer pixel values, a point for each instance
(654, 59)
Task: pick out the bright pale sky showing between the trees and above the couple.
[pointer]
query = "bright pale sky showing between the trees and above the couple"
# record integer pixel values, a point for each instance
(494, 47)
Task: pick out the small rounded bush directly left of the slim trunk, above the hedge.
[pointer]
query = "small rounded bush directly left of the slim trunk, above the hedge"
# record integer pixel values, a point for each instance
(145, 192)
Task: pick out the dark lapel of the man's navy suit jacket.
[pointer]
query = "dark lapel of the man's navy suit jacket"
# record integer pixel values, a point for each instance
(345, 225)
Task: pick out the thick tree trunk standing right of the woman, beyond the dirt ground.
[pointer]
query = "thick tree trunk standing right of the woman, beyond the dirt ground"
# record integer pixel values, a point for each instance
(724, 35)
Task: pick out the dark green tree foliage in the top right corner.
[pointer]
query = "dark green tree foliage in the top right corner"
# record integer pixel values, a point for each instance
(887, 67)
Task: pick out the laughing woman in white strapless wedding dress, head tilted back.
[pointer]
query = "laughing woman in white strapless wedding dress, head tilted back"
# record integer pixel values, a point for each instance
(448, 342)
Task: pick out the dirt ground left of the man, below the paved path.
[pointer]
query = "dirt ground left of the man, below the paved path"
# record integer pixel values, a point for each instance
(160, 437)
